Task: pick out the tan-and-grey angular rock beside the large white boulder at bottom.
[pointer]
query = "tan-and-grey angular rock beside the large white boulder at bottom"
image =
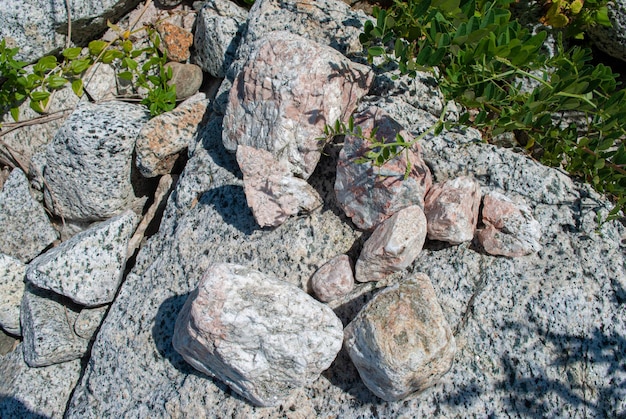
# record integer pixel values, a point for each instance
(400, 341)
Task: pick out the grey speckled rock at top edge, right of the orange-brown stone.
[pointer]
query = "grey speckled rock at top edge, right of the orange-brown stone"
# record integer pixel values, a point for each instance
(218, 32)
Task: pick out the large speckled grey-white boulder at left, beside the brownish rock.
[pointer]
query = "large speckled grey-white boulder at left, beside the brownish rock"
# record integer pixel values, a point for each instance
(89, 162)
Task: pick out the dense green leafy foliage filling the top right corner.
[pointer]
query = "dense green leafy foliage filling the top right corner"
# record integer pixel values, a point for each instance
(496, 69)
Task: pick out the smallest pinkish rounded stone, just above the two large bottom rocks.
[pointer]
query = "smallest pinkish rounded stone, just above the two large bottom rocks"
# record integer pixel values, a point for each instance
(334, 279)
